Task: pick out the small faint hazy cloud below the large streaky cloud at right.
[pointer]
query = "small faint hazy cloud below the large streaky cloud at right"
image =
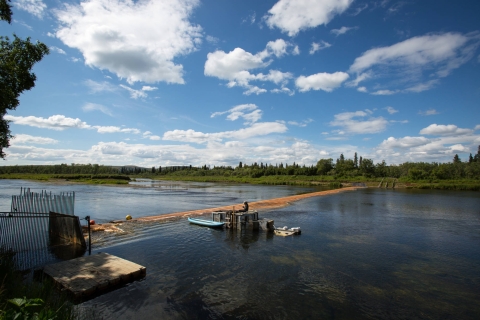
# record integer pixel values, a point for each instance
(355, 123)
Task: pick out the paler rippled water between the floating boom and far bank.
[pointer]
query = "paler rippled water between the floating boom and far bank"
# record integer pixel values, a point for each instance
(148, 197)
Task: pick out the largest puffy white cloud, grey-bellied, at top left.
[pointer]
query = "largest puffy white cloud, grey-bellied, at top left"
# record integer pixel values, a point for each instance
(112, 35)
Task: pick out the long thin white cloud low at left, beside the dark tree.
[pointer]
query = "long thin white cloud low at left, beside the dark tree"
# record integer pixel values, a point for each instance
(60, 123)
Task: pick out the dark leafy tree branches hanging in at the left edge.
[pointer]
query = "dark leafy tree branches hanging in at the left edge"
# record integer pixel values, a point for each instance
(17, 58)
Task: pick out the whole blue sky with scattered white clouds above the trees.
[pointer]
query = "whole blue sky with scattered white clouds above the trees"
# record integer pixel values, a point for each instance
(216, 82)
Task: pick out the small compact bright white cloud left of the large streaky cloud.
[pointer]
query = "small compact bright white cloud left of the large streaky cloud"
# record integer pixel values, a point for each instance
(321, 81)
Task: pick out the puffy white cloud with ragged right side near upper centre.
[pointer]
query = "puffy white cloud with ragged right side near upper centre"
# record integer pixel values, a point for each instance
(236, 65)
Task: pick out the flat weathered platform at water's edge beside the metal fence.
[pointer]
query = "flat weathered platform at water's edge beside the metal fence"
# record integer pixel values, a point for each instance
(91, 275)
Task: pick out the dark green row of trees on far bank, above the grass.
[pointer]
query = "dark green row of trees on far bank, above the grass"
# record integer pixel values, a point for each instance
(358, 167)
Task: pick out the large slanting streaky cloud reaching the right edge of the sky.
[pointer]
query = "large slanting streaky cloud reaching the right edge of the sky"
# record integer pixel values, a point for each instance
(412, 60)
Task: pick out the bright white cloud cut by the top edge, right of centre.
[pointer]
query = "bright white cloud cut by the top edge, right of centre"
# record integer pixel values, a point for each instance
(293, 16)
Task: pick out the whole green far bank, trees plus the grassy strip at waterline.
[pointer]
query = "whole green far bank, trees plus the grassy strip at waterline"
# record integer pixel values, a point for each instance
(456, 175)
